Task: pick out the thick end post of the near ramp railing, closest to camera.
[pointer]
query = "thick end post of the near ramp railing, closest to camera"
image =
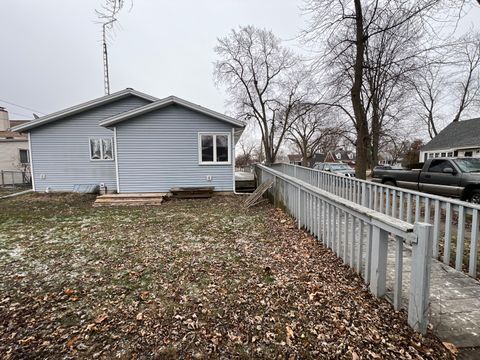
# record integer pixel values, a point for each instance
(419, 300)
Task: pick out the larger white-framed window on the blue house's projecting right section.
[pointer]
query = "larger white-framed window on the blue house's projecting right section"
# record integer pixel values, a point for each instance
(214, 148)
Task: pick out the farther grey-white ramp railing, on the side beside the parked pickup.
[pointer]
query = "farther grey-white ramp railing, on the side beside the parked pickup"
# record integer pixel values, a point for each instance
(455, 223)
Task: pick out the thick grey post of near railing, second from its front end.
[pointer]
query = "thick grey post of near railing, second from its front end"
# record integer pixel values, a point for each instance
(378, 269)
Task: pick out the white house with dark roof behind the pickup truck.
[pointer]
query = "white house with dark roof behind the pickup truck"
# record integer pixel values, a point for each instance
(458, 139)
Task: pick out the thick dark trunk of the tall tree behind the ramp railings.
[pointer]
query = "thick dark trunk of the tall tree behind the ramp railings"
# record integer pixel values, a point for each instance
(360, 117)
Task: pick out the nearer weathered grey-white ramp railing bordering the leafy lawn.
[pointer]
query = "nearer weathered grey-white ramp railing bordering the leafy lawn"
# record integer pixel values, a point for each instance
(360, 237)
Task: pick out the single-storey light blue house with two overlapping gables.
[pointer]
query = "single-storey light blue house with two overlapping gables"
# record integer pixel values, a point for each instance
(133, 142)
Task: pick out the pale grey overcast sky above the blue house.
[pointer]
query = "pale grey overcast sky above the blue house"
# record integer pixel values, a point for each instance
(51, 55)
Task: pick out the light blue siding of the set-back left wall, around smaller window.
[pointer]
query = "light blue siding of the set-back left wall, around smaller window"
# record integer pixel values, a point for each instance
(60, 150)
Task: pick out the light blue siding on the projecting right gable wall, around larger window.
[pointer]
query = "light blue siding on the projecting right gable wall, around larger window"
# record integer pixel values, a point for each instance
(160, 150)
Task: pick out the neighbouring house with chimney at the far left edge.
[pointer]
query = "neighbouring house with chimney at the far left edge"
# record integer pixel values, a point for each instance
(14, 155)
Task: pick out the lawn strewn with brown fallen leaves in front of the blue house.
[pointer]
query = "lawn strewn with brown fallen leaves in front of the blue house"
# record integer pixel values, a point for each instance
(193, 279)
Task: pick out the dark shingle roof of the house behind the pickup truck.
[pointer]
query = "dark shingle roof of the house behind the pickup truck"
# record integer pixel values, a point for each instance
(459, 134)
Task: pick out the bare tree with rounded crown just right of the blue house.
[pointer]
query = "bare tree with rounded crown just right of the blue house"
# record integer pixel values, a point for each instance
(264, 81)
